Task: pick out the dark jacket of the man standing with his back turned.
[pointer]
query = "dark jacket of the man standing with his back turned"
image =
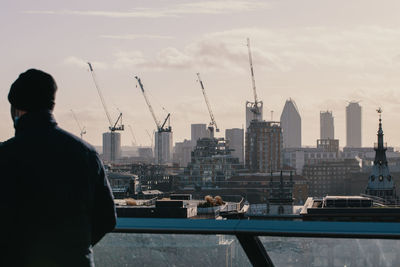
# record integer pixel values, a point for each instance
(55, 199)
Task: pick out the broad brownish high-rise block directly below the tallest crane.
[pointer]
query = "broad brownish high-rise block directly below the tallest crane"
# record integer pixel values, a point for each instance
(264, 147)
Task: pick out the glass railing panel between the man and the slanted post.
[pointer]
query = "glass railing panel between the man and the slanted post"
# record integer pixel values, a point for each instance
(126, 249)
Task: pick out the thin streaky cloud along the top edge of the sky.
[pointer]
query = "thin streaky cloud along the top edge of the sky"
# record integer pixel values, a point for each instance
(178, 10)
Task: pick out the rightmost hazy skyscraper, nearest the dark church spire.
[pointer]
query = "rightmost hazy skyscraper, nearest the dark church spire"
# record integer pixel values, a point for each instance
(353, 125)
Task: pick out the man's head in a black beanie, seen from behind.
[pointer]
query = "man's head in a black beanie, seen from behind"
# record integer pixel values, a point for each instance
(34, 90)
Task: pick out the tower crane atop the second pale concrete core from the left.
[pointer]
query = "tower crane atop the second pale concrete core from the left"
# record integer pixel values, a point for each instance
(161, 127)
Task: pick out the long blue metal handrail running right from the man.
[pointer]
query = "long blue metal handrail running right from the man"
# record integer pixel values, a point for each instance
(372, 230)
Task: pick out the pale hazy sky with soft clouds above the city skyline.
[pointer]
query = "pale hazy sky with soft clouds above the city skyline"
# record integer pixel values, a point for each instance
(321, 54)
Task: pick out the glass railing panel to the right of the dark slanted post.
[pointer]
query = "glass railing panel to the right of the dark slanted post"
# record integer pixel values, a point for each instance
(290, 251)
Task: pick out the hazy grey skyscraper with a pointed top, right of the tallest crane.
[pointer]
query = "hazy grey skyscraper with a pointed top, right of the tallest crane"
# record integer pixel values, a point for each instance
(291, 125)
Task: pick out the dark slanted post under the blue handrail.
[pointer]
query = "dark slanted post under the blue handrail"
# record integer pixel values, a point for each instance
(254, 250)
